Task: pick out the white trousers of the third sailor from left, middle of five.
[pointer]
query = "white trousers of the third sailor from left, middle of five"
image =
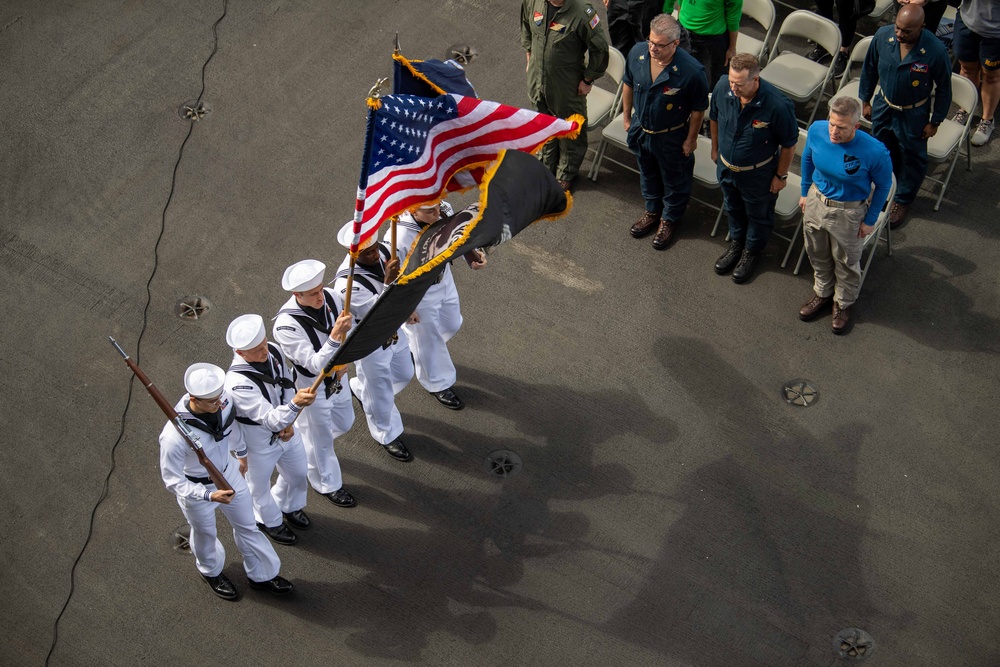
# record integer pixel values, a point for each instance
(320, 425)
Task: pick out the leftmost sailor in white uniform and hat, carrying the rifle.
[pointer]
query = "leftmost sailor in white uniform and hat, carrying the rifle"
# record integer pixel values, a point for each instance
(208, 410)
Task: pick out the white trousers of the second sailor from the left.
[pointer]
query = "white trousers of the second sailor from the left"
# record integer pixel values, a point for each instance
(288, 493)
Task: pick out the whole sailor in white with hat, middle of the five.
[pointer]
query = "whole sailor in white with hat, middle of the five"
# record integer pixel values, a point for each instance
(309, 329)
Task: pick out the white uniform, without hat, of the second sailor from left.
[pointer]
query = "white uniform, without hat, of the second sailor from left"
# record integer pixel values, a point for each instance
(262, 395)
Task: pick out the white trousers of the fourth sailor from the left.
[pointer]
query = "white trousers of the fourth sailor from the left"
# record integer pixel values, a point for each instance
(382, 375)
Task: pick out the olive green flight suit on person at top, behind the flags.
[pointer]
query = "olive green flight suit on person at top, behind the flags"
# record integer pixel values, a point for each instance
(556, 68)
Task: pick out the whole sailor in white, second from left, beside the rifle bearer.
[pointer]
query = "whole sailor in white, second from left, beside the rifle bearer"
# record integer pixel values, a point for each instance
(261, 383)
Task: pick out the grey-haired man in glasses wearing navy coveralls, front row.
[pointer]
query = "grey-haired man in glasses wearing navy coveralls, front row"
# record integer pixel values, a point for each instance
(667, 90)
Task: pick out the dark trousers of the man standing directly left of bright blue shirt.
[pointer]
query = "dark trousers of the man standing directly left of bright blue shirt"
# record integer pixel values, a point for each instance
(748, 201)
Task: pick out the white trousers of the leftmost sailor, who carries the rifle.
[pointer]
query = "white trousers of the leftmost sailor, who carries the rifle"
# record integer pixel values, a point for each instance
(259, 559)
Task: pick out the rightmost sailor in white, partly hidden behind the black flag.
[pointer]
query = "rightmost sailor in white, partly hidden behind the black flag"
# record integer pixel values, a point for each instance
(439, 314)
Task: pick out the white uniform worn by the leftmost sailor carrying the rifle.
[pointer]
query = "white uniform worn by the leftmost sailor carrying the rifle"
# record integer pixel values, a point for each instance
(186, 478)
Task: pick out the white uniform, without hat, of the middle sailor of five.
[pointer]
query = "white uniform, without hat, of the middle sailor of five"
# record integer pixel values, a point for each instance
(305, 340)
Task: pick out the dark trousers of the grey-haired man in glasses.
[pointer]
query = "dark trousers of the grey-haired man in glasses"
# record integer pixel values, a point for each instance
(665, 175)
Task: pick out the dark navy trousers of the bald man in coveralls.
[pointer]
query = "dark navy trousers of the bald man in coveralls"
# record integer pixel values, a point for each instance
(902, 133)
